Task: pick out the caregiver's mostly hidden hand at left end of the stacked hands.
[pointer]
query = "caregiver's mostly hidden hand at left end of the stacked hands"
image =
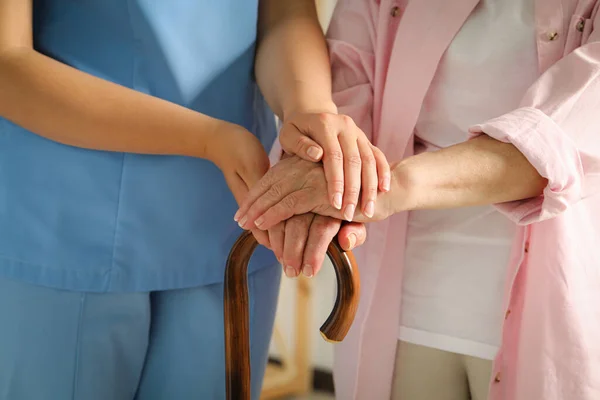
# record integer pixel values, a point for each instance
(243, 161)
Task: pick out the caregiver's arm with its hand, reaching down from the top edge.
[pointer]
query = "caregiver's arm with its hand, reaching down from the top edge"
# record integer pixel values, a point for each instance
(294, 74)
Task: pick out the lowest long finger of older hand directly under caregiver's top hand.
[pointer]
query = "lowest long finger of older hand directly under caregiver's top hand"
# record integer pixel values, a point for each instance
(296, 203)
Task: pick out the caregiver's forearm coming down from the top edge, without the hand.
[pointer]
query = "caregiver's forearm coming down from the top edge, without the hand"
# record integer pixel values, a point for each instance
(292, 62)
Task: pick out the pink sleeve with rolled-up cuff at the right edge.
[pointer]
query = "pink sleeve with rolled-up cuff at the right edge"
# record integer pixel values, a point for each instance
(558, 129)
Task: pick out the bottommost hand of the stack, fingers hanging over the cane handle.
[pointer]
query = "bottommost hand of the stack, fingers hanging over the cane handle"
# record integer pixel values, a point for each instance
(301, 242)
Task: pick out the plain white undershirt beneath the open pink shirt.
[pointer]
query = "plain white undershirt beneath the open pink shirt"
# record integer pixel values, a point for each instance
(456, 259)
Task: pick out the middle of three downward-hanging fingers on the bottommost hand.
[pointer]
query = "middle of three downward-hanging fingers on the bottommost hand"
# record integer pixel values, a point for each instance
(296, 233)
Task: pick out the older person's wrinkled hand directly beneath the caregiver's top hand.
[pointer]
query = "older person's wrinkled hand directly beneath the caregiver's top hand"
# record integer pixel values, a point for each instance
(295, 186)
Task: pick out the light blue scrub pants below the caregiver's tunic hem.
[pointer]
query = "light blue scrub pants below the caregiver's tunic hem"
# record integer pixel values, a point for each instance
(167, 345)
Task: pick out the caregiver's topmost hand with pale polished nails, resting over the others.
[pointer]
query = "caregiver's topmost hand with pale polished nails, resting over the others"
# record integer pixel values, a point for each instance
(353, 166)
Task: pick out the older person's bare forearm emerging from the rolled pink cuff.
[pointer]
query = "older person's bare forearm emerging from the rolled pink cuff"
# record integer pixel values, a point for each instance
(479, 171)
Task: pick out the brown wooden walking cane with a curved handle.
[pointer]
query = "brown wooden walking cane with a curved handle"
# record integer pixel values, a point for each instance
(237, 327)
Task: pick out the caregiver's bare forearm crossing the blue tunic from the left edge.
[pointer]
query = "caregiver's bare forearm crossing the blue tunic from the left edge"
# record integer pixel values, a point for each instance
(74, 108)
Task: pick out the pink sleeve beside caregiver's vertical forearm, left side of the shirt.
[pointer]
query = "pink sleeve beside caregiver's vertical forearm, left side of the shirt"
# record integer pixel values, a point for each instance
(351, 40)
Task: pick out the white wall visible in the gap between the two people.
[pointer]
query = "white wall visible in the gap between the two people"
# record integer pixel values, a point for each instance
(322, 287)
